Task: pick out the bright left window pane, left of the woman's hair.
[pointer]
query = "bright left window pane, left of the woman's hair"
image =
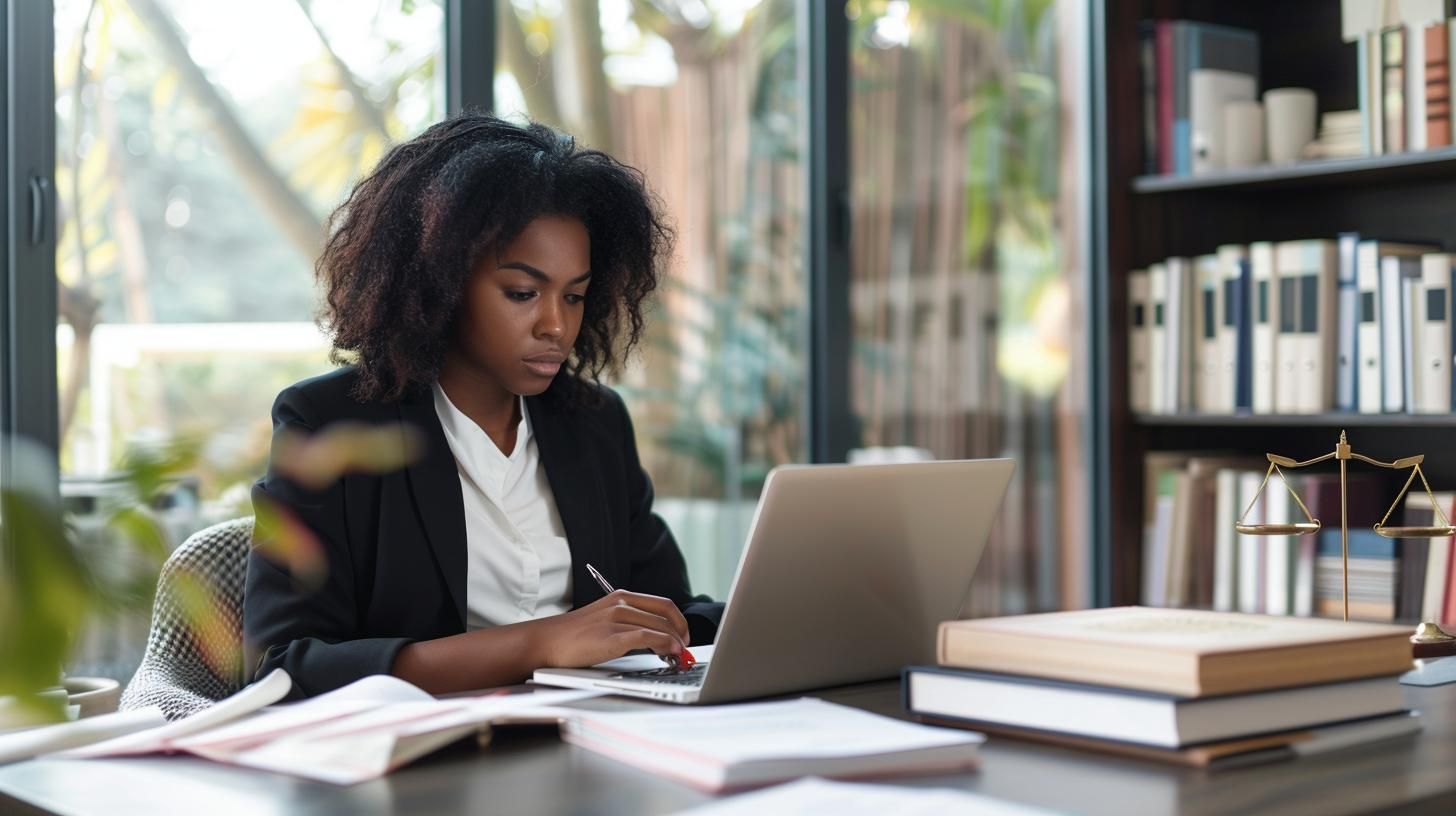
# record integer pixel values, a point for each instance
(200, 148)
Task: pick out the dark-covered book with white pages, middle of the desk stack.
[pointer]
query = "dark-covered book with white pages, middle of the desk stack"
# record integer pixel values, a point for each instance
(1160, 721)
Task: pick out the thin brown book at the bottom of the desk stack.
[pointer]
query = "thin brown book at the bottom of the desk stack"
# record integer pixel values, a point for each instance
(1238, 753)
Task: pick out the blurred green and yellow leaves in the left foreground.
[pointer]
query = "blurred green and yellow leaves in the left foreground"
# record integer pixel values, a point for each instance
(59, 579)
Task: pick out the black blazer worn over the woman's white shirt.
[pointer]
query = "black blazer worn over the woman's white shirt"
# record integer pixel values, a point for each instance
(397, 546)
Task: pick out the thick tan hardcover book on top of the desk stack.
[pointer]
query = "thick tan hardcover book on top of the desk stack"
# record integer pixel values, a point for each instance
(1183, 652)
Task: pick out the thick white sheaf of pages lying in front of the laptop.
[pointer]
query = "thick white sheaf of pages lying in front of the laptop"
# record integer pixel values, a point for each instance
(737, 747)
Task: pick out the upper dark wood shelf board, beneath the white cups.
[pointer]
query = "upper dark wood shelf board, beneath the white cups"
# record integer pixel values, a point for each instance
(1396, 167)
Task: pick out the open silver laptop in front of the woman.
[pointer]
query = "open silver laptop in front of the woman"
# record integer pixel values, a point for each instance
(845, 578)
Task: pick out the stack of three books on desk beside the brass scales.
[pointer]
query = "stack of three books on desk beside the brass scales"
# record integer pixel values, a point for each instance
(1186, 687)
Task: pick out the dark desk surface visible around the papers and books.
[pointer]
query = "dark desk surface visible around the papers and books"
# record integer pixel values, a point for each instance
(532, 772)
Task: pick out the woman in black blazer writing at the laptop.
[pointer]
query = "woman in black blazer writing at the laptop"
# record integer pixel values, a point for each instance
(480, 280)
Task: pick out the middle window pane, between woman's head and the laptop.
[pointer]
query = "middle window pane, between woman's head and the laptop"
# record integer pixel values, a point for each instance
(705, 100)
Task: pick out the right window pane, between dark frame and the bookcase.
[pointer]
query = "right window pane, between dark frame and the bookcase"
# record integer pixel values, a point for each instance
(968, 264)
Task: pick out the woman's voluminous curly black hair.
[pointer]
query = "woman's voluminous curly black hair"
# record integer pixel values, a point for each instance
(404, 244)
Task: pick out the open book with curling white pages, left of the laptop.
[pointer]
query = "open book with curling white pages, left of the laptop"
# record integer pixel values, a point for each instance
(356, 734)
